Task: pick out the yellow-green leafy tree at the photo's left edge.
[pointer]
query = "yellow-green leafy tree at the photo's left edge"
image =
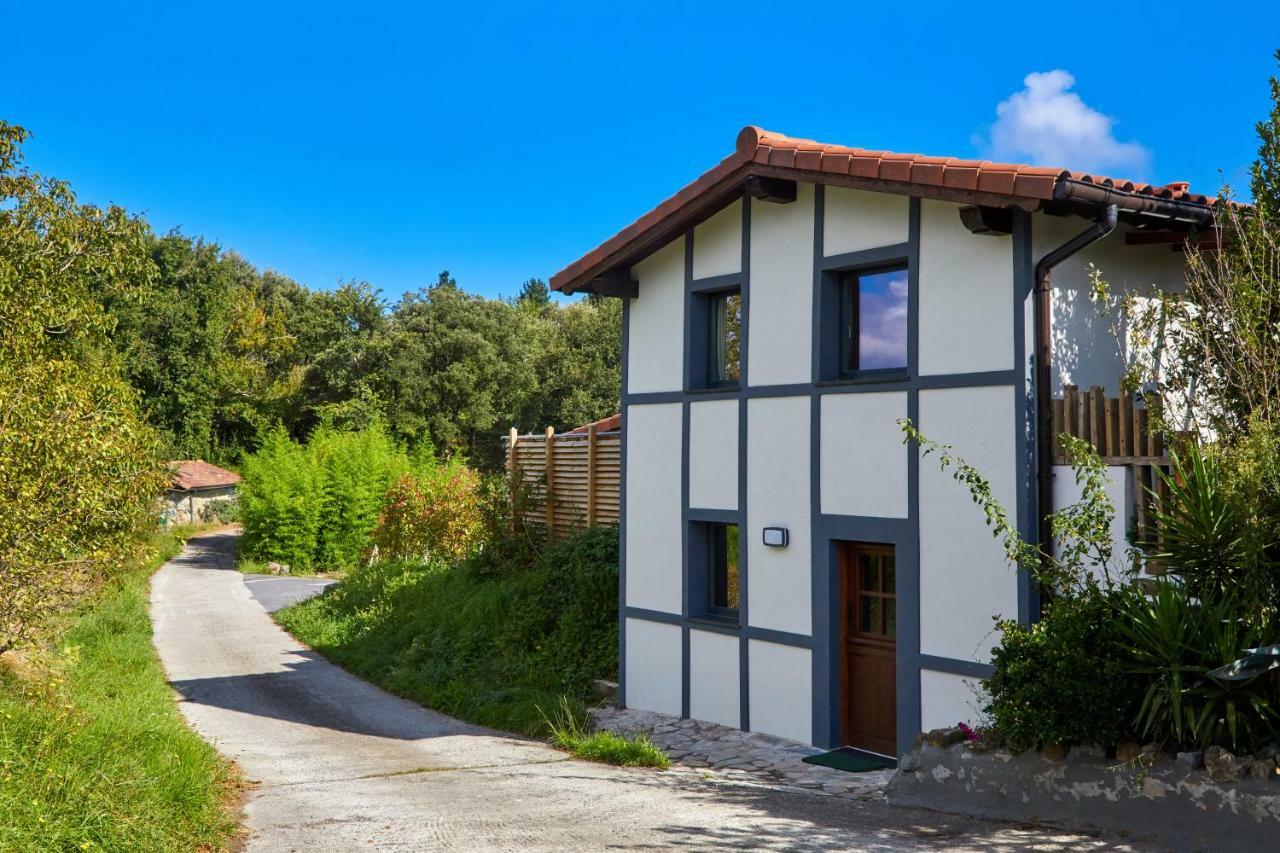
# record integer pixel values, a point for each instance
(80, 472)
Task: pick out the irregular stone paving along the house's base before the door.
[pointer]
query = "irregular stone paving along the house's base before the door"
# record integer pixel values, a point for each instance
(742, 756)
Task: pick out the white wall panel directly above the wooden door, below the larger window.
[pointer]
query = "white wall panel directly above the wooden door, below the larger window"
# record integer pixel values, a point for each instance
(863, 467)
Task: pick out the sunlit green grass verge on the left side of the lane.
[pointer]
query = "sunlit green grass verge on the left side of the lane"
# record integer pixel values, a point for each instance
(94, 754)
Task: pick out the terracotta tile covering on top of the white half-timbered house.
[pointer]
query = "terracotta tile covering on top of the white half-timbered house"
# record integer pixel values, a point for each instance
(761, 152)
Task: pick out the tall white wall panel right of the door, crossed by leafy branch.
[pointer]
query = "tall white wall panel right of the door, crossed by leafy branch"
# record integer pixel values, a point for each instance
(964, 577)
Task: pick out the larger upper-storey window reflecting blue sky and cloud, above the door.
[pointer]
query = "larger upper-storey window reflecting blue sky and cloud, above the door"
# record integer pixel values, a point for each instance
(874, 321)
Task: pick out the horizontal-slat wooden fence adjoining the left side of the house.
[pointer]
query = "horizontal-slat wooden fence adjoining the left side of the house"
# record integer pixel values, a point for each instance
(569, 481)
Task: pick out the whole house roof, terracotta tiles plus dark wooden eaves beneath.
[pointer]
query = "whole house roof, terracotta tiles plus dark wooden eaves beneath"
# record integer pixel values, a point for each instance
(761, 156)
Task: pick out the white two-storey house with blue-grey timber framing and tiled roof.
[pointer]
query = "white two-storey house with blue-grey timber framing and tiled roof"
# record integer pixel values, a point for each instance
(790, 565)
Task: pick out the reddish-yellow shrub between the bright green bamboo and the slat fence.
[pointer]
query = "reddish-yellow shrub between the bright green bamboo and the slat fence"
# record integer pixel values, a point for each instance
(432, 513)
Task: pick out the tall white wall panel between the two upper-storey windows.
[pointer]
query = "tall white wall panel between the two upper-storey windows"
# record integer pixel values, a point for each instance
(781, 305)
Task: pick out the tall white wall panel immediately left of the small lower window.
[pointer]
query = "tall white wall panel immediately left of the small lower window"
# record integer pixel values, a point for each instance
(653, 449)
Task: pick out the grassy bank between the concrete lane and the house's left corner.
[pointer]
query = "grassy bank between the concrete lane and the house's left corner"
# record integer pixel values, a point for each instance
(491, 645)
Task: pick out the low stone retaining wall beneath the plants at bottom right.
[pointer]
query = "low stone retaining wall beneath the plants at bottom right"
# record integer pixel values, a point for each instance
(1158, 797)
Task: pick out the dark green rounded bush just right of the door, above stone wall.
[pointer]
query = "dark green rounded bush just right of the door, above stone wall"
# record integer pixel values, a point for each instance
(1064, 679)
